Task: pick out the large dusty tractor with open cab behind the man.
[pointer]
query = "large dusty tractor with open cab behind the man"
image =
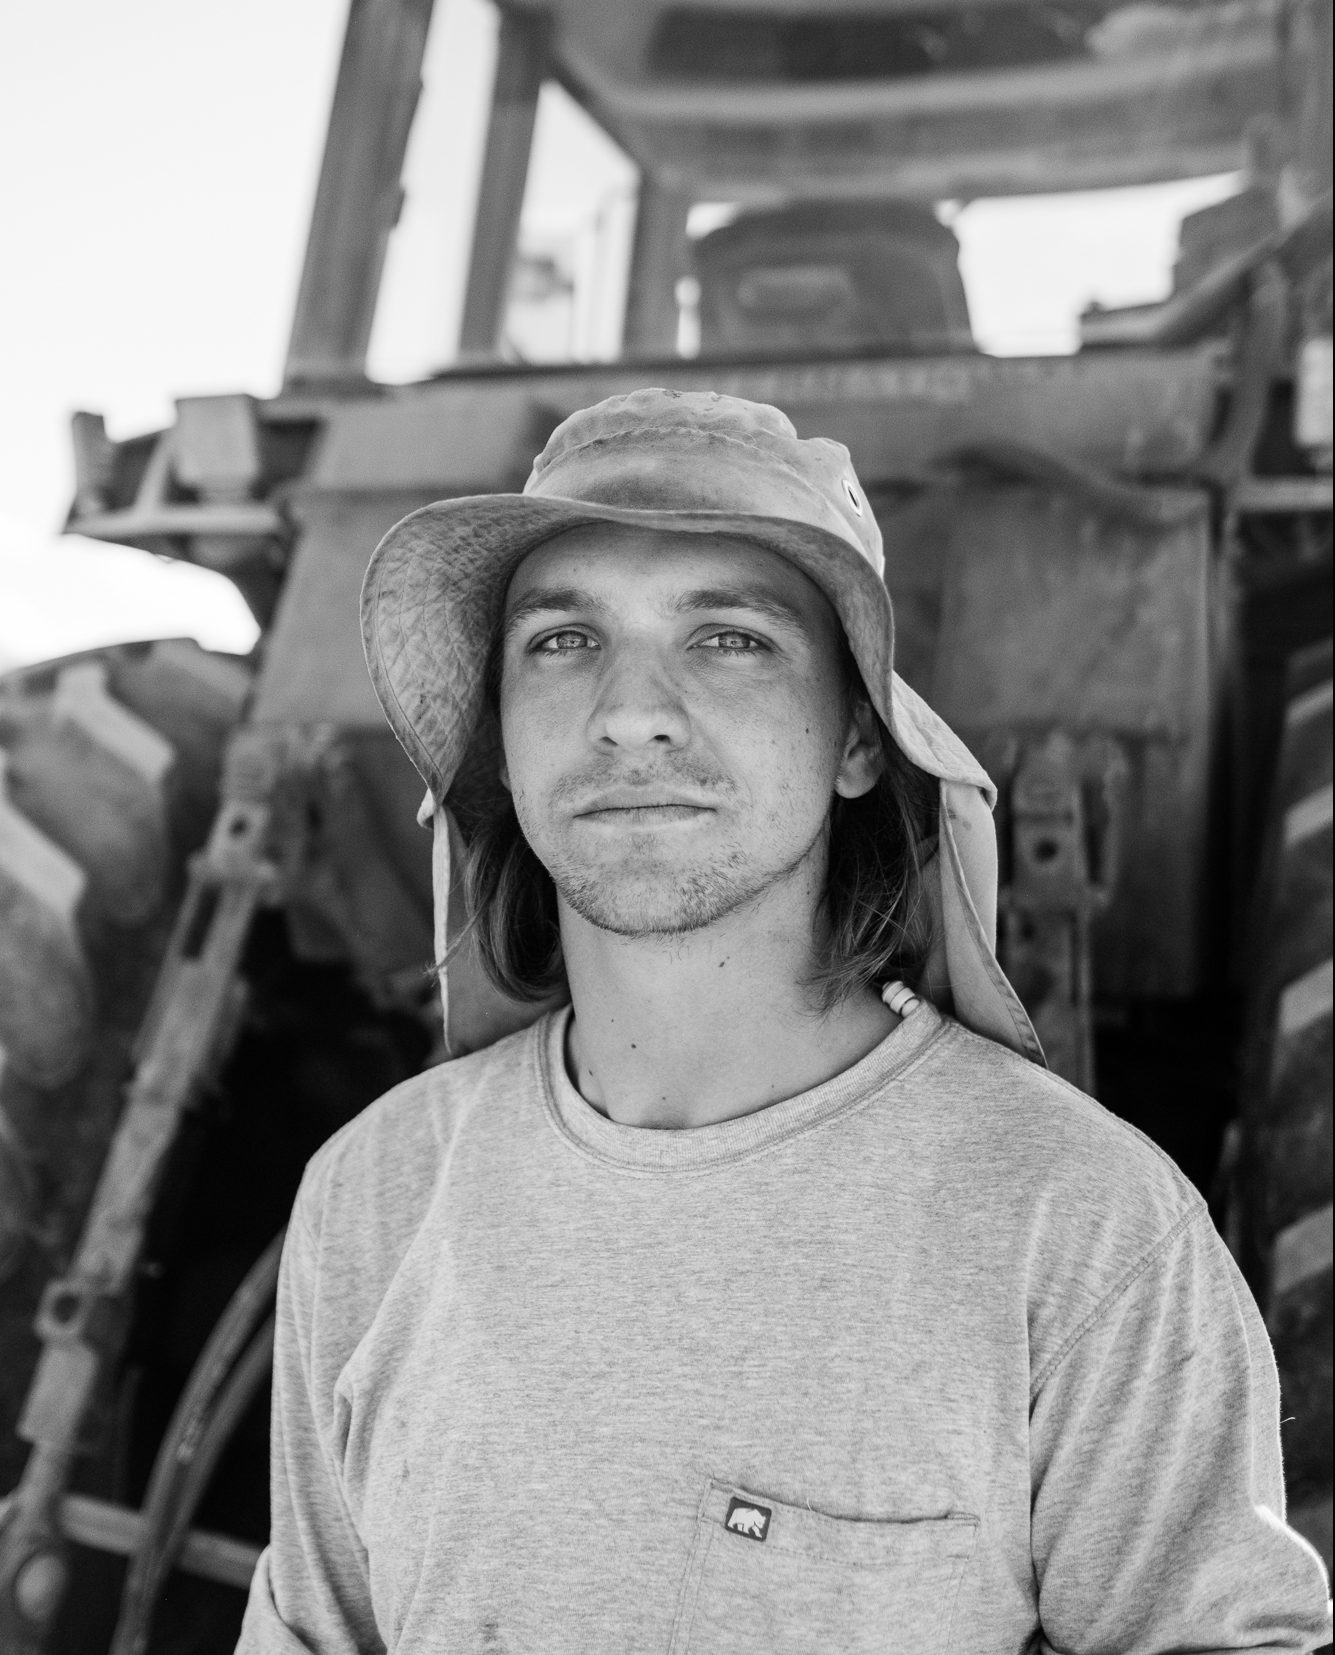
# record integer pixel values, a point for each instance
(1111, 575)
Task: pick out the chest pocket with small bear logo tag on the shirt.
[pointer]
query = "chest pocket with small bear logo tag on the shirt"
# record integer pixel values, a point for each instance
(775, 1580)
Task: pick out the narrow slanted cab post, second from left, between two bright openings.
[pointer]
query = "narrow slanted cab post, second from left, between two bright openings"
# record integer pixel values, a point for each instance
(522, 55)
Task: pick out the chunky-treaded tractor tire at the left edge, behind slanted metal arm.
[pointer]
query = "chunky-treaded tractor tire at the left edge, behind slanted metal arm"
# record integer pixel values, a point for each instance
(108, 782)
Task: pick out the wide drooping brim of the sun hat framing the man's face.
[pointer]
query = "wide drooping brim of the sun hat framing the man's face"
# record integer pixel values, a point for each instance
(436, 588)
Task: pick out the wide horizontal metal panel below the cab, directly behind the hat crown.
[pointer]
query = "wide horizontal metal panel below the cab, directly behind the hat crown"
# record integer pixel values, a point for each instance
(1134, 413)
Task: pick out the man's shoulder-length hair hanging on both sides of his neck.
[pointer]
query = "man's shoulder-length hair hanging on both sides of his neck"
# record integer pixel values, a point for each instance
(876, 929)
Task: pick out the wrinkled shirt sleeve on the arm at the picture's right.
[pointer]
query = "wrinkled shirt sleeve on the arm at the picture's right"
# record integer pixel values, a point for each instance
(1157, 1482)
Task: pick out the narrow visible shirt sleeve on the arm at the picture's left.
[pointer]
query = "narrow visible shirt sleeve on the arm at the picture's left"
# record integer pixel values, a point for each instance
(310, 1593)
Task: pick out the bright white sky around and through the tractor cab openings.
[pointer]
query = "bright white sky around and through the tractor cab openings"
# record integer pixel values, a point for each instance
(161, 161)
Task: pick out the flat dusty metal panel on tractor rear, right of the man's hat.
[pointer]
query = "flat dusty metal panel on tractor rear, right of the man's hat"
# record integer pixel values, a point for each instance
(1023, 613)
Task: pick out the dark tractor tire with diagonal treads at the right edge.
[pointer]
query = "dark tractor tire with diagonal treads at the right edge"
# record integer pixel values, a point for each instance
(1286, 1226)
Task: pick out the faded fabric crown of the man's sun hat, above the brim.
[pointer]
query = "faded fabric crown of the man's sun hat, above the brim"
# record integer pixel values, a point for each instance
(701, 451)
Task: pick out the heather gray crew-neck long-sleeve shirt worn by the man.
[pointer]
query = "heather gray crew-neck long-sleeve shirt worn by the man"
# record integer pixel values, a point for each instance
(935, 1358)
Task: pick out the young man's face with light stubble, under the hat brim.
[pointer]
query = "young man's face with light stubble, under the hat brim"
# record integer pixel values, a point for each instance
(676, 724)
